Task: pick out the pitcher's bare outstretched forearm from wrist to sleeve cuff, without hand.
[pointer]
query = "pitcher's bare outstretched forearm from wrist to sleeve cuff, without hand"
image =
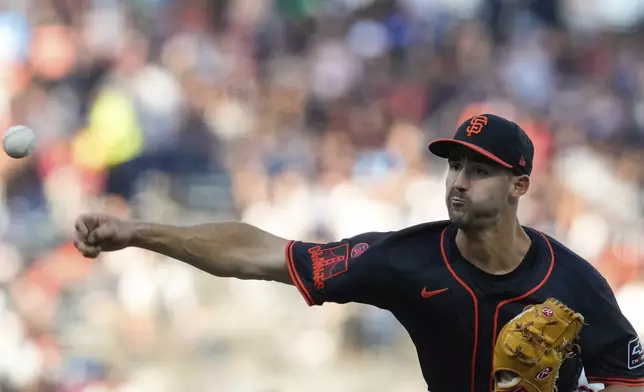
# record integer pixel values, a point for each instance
(230, 249)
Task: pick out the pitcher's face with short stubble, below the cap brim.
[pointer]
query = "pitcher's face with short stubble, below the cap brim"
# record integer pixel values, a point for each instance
(478, 191)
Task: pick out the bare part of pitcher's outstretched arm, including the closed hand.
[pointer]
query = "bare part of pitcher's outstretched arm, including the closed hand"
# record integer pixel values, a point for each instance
(230, 249)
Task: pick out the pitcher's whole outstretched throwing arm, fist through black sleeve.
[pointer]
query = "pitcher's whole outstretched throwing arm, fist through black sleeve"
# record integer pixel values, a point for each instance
(355, 269)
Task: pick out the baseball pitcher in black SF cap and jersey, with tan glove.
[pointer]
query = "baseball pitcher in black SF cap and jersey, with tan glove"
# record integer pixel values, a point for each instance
(490, 305)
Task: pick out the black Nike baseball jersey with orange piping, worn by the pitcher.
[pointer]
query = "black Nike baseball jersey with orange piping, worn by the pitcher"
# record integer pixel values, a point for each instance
(454, 311)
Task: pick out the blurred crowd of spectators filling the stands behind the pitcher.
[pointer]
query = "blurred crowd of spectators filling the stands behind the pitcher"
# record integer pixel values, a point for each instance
(307, 118)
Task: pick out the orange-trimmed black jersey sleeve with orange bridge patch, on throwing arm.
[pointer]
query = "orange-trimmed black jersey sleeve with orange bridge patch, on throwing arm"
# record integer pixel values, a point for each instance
(352, 270)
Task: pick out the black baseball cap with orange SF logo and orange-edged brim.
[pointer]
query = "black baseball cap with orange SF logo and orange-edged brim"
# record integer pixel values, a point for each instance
(496, 138)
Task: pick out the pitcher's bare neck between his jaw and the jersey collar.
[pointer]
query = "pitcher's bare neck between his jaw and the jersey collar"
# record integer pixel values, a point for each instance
(497, 250)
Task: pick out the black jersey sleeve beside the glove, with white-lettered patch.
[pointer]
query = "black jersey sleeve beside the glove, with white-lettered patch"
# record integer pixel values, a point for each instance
(611, 350)
